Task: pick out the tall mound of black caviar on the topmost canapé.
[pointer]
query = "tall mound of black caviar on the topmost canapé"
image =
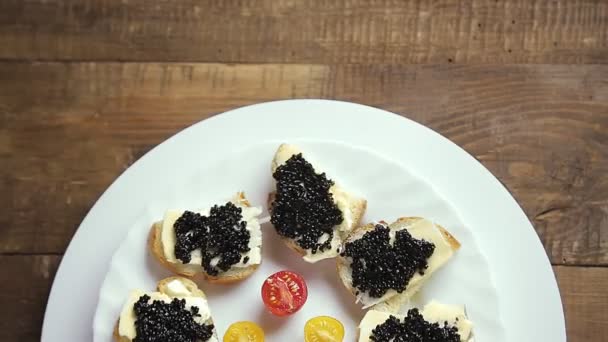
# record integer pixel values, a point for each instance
(303, 208)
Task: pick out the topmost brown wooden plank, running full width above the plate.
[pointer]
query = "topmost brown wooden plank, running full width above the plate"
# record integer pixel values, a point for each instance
(319, 31)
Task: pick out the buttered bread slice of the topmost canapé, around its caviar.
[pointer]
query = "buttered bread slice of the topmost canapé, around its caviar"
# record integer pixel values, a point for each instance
(352, 208)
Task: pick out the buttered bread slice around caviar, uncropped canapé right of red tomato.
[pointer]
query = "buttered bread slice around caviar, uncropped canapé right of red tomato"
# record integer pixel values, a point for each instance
(419, 228)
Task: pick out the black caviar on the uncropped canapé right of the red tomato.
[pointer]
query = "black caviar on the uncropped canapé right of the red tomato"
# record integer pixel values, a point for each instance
(378, 266)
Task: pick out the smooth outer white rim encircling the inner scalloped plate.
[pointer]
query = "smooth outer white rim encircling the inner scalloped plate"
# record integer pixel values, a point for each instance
(305, 112)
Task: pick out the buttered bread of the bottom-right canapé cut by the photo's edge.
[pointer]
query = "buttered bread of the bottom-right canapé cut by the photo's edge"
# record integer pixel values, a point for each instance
(433, 312)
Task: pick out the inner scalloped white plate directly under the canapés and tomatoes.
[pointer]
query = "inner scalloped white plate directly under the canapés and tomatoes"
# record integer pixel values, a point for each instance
(391, 192)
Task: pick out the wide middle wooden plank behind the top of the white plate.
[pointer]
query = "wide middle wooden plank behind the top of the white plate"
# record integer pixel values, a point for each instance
(69, 129)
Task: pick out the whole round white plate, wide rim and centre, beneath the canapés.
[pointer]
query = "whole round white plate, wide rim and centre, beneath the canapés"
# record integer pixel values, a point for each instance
(527, 301)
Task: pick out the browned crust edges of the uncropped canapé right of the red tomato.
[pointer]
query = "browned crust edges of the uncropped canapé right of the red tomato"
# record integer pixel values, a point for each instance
(342, 263)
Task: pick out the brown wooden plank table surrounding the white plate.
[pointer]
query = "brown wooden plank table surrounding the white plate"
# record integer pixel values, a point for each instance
(88, 86)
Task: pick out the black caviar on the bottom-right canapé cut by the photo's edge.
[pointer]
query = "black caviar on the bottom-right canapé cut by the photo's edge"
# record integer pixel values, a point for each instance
(413, 328)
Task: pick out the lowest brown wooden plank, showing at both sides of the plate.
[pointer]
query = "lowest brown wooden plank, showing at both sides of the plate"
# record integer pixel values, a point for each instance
(23, 299)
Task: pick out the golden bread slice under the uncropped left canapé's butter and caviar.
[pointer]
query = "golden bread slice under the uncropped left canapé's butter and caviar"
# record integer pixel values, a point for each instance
(234, 274)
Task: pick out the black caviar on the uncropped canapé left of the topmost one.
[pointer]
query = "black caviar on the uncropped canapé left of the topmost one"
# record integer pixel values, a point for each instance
(222, 234)
